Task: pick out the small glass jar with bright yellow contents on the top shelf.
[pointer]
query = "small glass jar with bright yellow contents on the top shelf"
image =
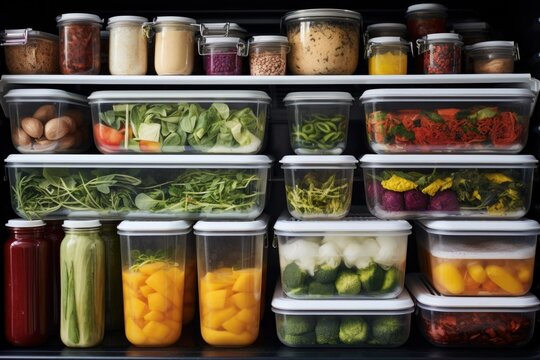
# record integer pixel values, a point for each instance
(387, 55)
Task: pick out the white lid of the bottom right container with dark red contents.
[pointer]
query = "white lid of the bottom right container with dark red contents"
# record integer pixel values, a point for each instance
(428, 298)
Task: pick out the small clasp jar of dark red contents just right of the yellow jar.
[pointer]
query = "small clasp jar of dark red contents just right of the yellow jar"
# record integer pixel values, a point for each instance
(441, 53)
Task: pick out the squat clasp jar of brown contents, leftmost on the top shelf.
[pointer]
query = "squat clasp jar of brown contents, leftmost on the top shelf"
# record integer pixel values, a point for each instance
(30, 52)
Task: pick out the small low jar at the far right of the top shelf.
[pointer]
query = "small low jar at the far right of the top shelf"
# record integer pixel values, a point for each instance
(493, 57)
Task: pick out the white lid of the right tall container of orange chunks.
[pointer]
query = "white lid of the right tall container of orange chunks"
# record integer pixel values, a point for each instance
(232, 228)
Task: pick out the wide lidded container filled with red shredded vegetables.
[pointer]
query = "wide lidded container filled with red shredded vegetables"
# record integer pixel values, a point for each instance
(448, 120)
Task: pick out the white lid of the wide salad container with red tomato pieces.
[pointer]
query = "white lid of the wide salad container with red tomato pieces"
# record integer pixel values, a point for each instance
(141, 96)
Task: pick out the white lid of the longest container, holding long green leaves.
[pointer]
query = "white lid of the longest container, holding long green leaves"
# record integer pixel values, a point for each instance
(138, 161)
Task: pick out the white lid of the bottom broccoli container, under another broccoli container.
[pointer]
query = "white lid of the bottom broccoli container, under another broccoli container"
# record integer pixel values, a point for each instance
(281, 303)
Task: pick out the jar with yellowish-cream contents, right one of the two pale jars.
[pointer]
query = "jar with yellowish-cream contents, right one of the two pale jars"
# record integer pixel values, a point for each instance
(175, 45)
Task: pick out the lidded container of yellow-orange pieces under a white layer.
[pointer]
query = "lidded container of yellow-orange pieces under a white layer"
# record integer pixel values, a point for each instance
(478, 258)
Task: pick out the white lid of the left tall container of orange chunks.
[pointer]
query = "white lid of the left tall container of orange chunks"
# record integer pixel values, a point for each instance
(153, 228)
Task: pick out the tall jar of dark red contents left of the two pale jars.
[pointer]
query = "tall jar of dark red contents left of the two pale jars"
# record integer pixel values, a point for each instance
(80, 43)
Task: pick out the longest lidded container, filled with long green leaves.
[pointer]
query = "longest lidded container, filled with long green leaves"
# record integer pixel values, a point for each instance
(120, 186)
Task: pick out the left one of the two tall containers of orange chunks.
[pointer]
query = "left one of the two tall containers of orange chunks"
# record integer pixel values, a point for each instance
(153, 274)
